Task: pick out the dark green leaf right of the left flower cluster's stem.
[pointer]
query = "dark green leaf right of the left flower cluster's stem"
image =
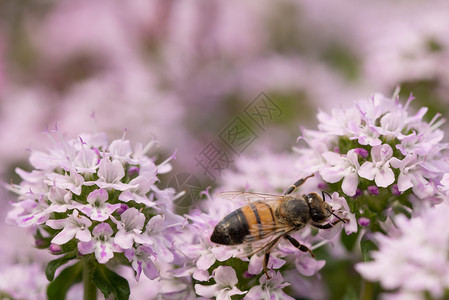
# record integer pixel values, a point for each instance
(110, 283)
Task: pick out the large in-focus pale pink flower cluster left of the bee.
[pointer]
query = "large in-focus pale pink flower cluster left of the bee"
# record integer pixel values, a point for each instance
(86, 196)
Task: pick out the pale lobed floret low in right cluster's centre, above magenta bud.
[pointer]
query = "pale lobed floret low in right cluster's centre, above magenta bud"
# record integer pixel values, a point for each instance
(379, 168)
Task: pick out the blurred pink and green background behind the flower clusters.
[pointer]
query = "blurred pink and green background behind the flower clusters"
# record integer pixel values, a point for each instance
(181, 71)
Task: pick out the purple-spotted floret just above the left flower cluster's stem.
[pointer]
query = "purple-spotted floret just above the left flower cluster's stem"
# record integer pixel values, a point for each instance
(102, 243)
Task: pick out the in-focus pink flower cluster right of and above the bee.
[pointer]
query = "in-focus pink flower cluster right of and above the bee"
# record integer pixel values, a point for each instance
(377, 147)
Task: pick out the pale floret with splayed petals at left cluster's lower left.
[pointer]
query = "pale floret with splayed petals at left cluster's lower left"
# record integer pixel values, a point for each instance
(75, 225)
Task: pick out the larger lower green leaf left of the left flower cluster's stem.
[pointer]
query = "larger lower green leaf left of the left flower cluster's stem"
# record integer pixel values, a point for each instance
(57, 289)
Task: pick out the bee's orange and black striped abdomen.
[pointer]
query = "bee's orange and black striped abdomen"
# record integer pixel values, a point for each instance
(255, 221)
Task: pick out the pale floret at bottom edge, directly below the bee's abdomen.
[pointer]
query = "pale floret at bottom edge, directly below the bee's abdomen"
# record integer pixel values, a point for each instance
(224, 287)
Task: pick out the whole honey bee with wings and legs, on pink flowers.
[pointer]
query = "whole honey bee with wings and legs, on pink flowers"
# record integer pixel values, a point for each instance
(266, 219)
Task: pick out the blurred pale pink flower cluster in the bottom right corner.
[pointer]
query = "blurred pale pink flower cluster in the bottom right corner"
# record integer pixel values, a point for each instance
(418, 249)
